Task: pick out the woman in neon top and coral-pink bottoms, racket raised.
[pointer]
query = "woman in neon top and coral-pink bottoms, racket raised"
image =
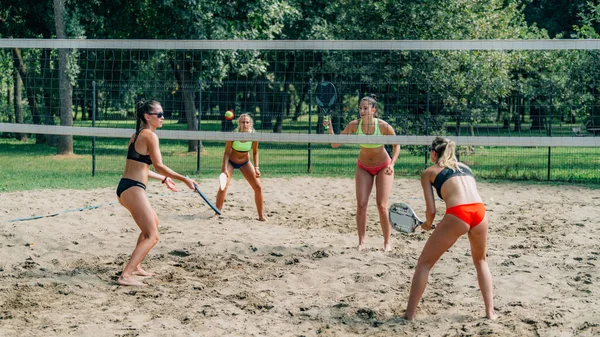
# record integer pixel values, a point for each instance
(374, 165)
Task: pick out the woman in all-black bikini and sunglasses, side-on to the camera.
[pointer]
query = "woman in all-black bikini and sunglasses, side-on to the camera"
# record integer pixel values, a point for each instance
(144, 151)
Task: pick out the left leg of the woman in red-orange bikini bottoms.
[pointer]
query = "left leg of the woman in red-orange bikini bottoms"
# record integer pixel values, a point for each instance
(443, 237)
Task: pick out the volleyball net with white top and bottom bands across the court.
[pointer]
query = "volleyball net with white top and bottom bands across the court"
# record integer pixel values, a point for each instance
(517, 109)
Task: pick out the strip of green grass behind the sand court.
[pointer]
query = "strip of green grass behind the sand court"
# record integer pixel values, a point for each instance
(28, 166)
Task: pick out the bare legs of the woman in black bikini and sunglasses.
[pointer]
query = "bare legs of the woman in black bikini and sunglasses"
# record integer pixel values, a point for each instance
(136, 201)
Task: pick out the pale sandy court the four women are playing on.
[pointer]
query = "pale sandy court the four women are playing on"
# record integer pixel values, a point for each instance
(299, 274)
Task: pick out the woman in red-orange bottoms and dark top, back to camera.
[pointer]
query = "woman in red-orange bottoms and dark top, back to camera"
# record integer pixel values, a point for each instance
(465, 214)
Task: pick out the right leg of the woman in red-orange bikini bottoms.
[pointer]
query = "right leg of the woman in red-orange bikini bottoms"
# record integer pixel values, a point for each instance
(478, 239)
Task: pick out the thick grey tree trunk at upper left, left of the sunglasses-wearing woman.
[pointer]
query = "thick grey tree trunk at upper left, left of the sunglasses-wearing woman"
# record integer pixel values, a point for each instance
(65, 90)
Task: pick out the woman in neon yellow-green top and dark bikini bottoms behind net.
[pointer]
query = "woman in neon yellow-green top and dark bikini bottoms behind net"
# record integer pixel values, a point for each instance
(237, 156)
